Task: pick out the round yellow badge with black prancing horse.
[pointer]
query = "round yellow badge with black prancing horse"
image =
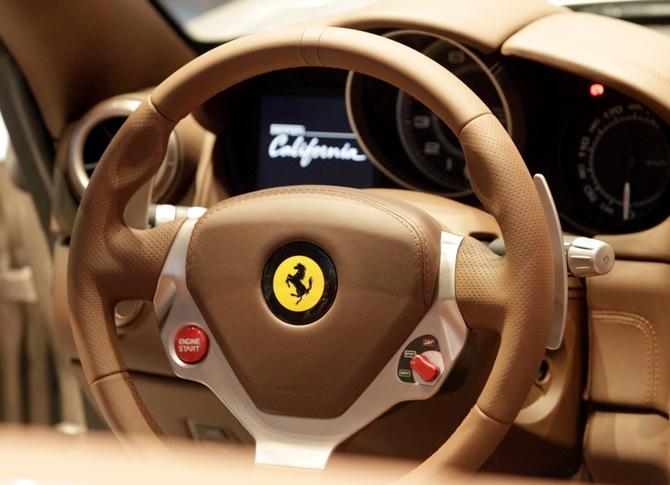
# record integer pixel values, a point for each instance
(298, 283)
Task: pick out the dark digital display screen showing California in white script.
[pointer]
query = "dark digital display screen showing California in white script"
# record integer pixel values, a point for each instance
(308, 140)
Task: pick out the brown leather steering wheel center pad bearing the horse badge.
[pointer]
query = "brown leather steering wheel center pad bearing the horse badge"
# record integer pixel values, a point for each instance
(304, 339)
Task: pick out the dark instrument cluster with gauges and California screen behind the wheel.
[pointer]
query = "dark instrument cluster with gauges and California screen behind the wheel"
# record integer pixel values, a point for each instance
(606, 156)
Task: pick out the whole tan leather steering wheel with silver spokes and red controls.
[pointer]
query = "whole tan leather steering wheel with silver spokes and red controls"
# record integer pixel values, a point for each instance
(311, 310)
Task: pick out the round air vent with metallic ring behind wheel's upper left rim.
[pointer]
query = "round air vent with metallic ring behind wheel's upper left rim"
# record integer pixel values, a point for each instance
(94, 132)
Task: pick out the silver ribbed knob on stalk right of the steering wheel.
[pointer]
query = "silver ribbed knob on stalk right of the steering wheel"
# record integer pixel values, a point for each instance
(588, 257)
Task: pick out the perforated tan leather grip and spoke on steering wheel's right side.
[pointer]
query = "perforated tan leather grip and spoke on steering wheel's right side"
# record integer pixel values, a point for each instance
(514, 290)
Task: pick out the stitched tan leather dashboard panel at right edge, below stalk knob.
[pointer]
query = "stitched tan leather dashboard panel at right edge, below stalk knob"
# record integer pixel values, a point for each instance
(630, 336)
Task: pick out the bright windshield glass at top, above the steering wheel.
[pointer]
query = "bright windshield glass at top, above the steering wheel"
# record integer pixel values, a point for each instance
(215, 21)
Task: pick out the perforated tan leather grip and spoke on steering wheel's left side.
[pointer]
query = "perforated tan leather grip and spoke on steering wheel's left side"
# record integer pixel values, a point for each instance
(108, 261)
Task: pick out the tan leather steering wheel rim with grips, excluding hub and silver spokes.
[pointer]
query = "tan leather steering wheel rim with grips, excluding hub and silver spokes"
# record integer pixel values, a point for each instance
(110, 262)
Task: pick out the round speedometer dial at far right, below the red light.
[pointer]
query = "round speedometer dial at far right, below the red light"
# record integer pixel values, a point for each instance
(623, 164)
